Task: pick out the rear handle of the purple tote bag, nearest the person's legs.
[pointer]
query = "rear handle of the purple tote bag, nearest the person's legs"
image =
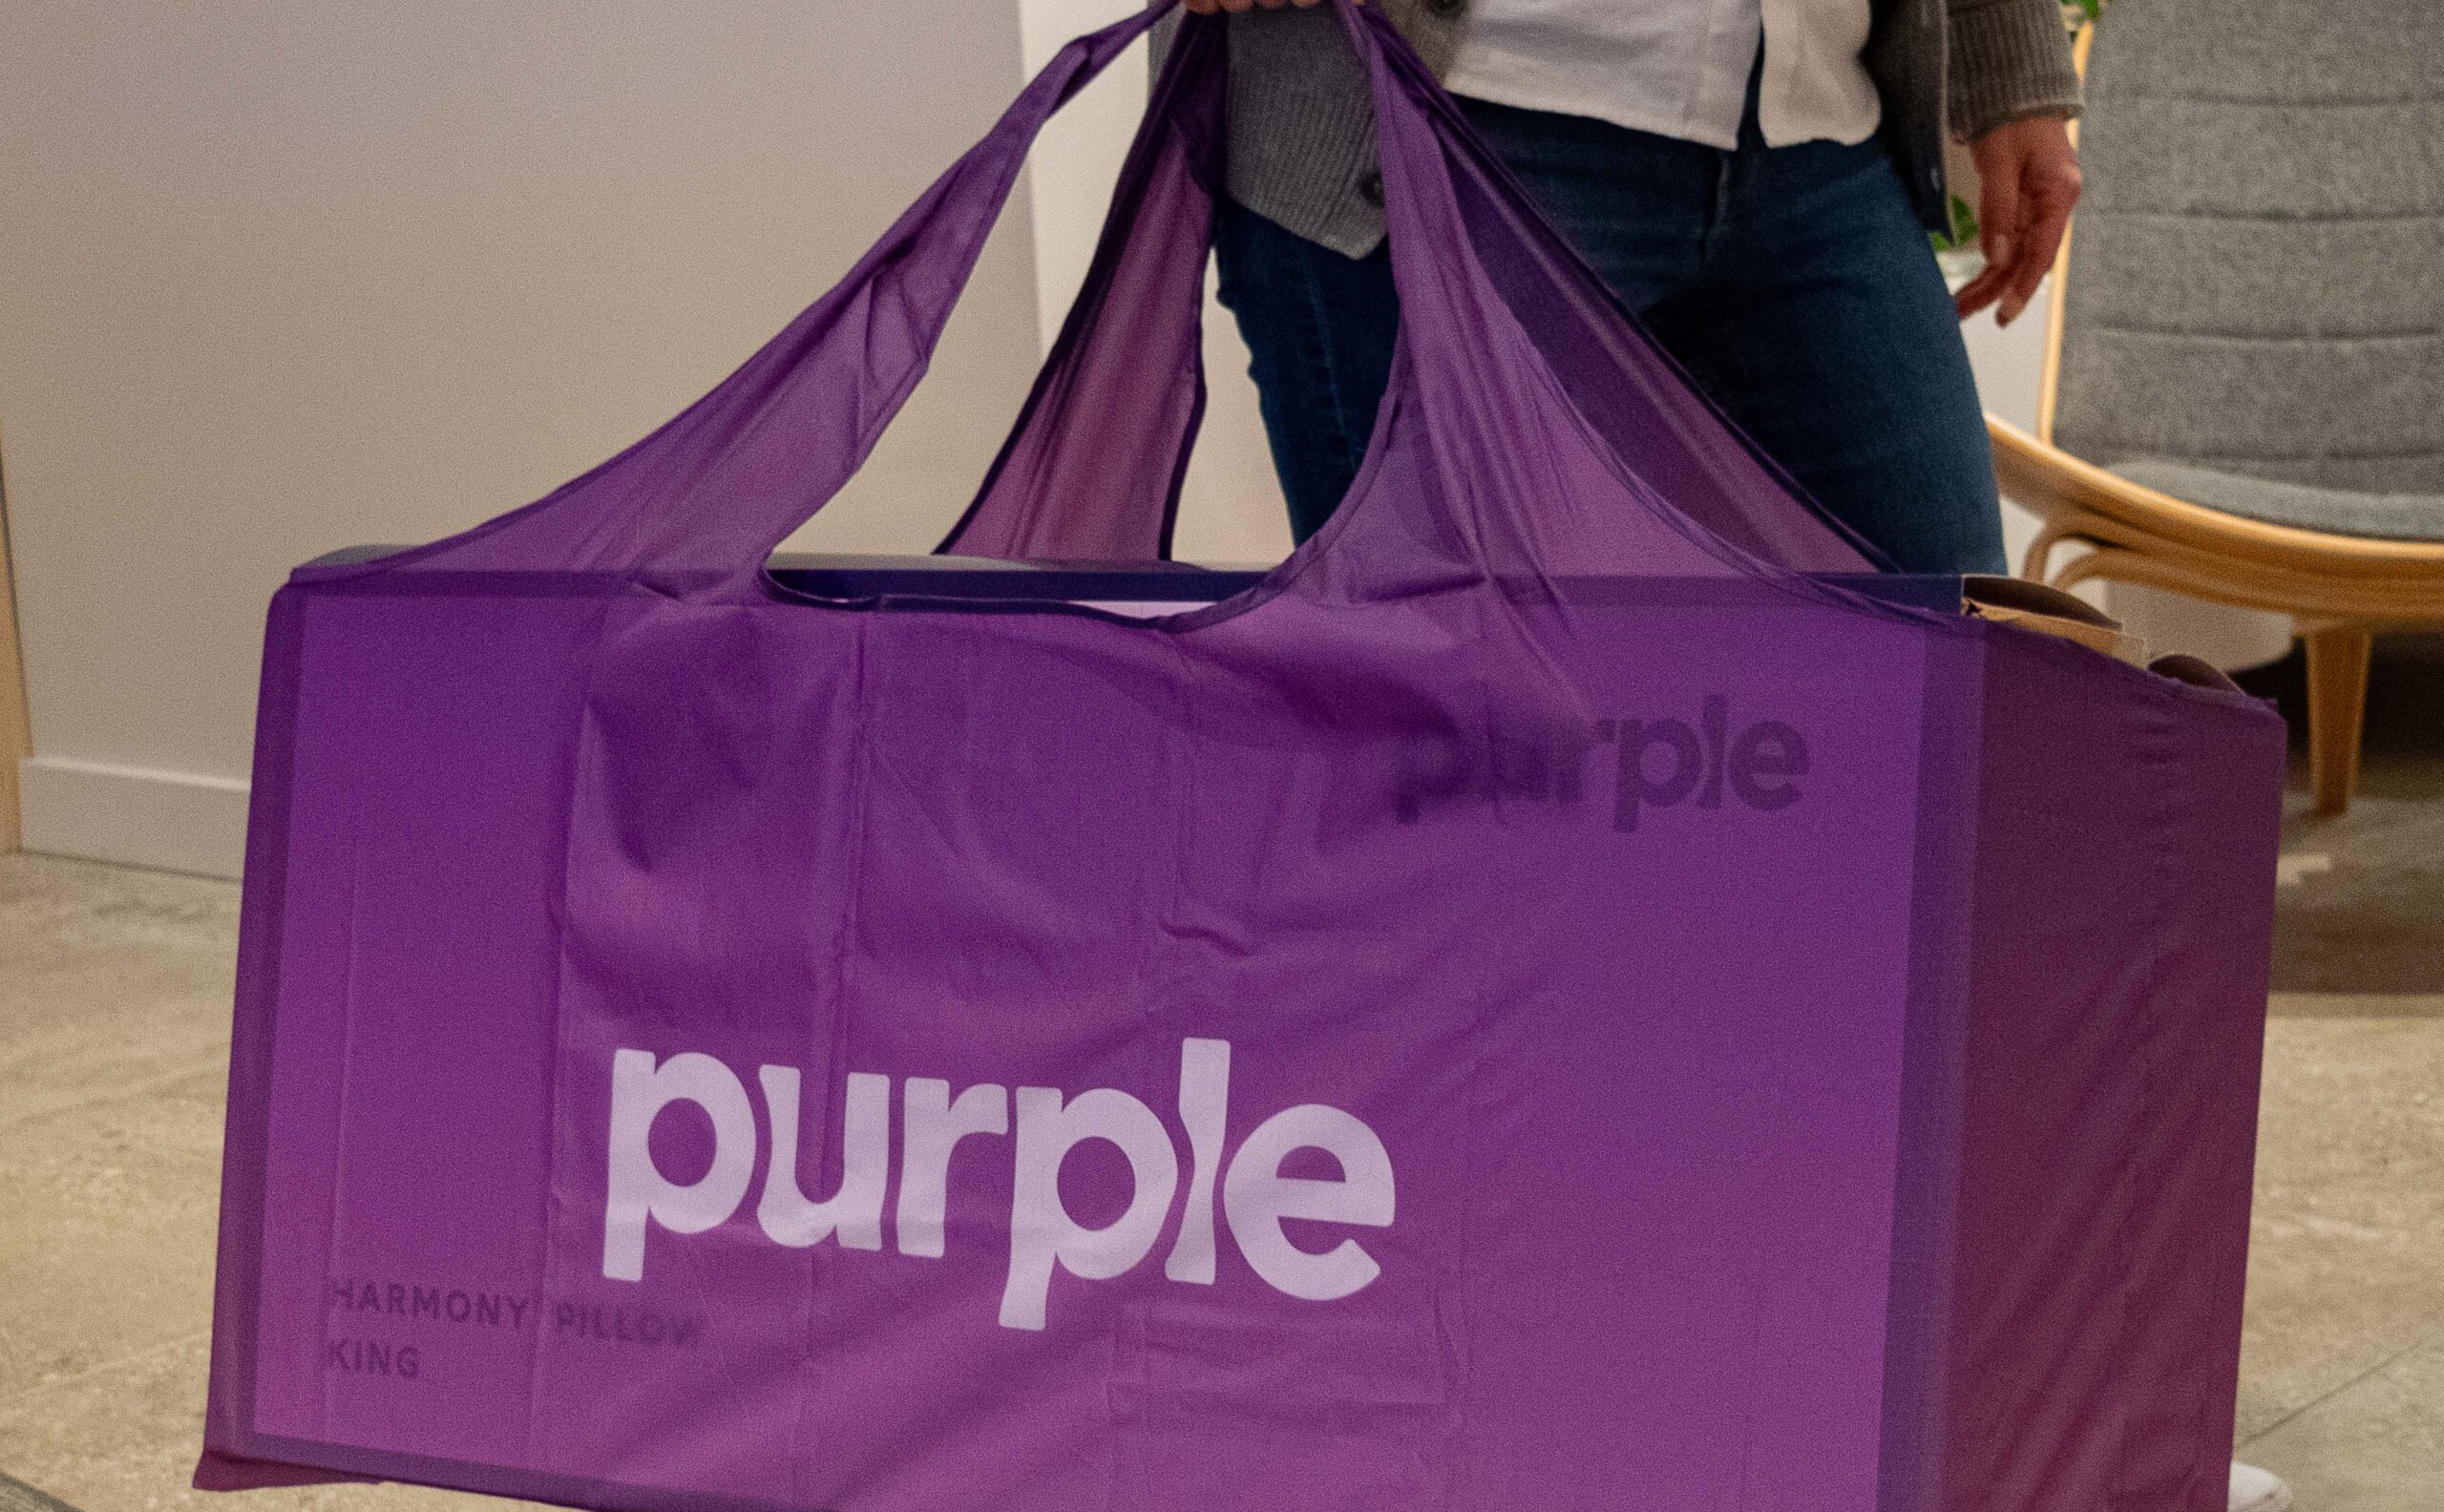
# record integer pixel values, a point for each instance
(1096, 463)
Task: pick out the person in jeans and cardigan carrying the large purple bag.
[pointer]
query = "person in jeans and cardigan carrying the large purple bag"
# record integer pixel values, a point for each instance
(1751, 177)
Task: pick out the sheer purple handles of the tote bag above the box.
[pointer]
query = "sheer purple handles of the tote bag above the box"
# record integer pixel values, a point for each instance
(698, 507)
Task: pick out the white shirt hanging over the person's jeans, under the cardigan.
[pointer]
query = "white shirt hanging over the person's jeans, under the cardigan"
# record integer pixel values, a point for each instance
(1678, 67)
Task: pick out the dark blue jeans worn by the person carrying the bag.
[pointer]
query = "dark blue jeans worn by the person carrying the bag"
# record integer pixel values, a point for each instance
(1793, 282)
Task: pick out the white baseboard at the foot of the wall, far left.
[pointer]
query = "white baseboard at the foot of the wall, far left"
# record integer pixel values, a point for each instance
(172, 822)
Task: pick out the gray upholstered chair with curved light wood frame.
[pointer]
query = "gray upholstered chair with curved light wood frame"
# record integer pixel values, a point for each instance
(2245, 368)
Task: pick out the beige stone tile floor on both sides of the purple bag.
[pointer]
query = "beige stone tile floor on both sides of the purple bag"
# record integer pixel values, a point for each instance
(114, 1027)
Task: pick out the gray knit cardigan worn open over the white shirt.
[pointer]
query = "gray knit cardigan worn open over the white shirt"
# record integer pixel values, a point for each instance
(1301, 140)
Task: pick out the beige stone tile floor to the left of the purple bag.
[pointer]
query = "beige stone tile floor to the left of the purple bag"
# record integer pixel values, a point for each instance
(114, 1049)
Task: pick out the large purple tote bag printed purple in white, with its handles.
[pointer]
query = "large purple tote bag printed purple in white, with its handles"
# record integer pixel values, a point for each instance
(1543, 1003)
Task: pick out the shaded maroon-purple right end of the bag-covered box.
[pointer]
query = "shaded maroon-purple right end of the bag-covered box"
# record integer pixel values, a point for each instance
(2110, 1076)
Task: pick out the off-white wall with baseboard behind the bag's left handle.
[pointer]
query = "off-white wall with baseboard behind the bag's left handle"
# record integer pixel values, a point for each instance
(292, 277)
